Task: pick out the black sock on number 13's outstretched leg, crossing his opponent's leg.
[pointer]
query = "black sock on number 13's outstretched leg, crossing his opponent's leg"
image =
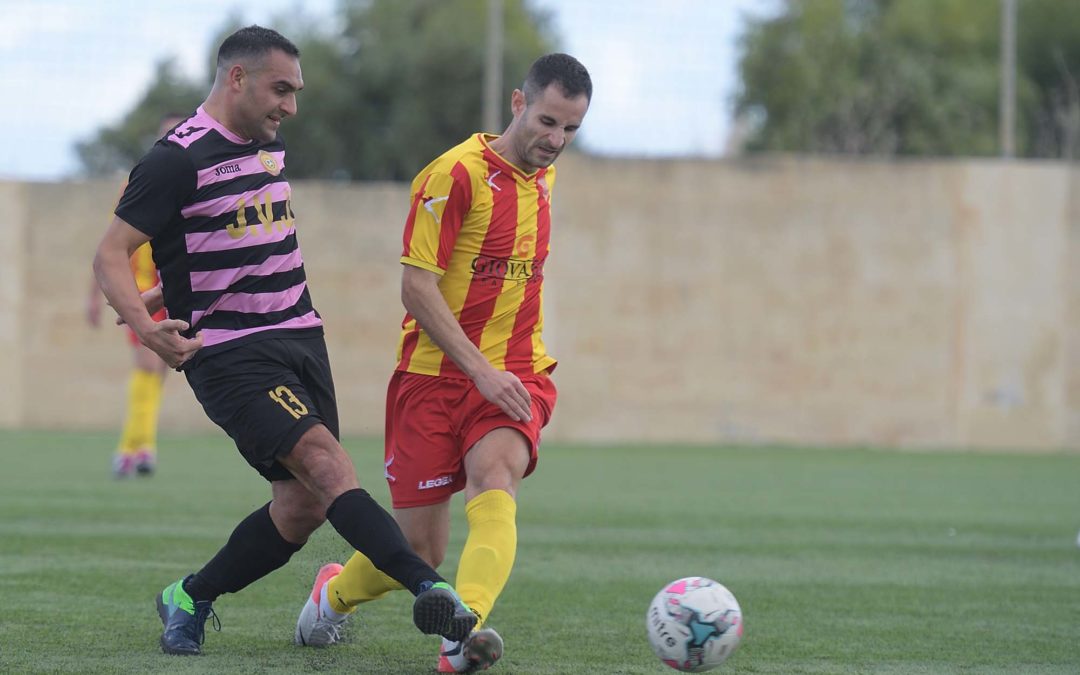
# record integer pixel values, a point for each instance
(373, 532)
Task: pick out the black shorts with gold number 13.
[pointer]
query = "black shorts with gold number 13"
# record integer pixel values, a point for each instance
(265, 395)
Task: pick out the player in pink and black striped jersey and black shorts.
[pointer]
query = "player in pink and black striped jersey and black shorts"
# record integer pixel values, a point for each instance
(213, 199)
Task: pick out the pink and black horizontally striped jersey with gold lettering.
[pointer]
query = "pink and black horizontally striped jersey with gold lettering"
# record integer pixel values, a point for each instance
(220, 215)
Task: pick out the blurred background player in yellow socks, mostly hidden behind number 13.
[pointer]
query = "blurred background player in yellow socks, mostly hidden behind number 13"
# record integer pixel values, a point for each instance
(138, 451)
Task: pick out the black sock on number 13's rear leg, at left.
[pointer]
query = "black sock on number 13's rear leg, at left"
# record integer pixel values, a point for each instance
(254, 550)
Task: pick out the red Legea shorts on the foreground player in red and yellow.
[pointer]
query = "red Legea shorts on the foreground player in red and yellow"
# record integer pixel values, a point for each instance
(434, 422)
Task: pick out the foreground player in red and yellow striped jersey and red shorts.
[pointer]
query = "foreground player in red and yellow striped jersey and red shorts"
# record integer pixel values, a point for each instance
(471, 390)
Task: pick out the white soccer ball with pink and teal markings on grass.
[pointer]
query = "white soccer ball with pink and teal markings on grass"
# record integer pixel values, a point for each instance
(694, 625)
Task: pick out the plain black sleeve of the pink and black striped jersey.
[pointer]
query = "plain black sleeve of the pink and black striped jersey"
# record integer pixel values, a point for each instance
(157, 188)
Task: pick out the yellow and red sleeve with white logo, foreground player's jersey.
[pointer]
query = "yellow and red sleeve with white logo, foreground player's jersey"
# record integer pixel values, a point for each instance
(435, 220)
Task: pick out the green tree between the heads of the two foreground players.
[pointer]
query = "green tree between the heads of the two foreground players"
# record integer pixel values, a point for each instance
(402, 84)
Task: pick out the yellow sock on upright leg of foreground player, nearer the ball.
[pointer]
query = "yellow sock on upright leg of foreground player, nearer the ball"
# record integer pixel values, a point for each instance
(490, 551)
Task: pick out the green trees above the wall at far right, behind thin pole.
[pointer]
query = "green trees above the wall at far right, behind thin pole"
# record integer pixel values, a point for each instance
(909, 78)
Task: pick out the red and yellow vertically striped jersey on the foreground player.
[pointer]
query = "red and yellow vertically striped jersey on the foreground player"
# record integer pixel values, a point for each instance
(484, 226)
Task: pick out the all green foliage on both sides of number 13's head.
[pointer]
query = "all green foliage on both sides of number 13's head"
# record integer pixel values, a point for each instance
(391, 86)
